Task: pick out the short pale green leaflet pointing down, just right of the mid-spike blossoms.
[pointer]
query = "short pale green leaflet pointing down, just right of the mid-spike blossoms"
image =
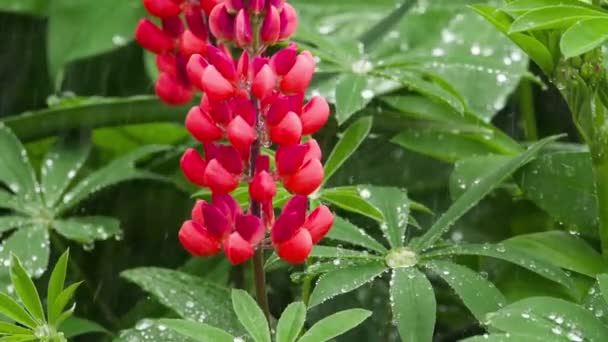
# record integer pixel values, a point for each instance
(352, 95)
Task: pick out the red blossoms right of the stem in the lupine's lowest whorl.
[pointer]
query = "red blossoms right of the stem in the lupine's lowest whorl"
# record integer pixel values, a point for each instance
(293, 234)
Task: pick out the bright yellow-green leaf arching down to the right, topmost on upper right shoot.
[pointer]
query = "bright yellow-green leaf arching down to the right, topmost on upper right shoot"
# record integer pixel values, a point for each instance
(537, 51)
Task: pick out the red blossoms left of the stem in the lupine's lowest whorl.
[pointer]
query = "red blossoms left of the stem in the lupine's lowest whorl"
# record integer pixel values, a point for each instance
(221, 223)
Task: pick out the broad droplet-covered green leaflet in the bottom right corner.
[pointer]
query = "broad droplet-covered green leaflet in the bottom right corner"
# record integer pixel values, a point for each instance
(544, 316)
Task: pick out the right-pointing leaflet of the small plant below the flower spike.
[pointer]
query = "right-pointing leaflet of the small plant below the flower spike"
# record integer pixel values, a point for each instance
(335, 325)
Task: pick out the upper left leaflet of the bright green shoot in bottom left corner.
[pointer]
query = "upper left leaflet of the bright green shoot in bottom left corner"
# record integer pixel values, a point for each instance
(26, 290)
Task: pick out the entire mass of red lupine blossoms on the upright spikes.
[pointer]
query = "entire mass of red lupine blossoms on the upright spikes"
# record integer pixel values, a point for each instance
(248, 102)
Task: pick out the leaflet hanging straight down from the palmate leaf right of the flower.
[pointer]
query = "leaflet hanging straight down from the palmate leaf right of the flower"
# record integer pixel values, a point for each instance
(413, 304)
